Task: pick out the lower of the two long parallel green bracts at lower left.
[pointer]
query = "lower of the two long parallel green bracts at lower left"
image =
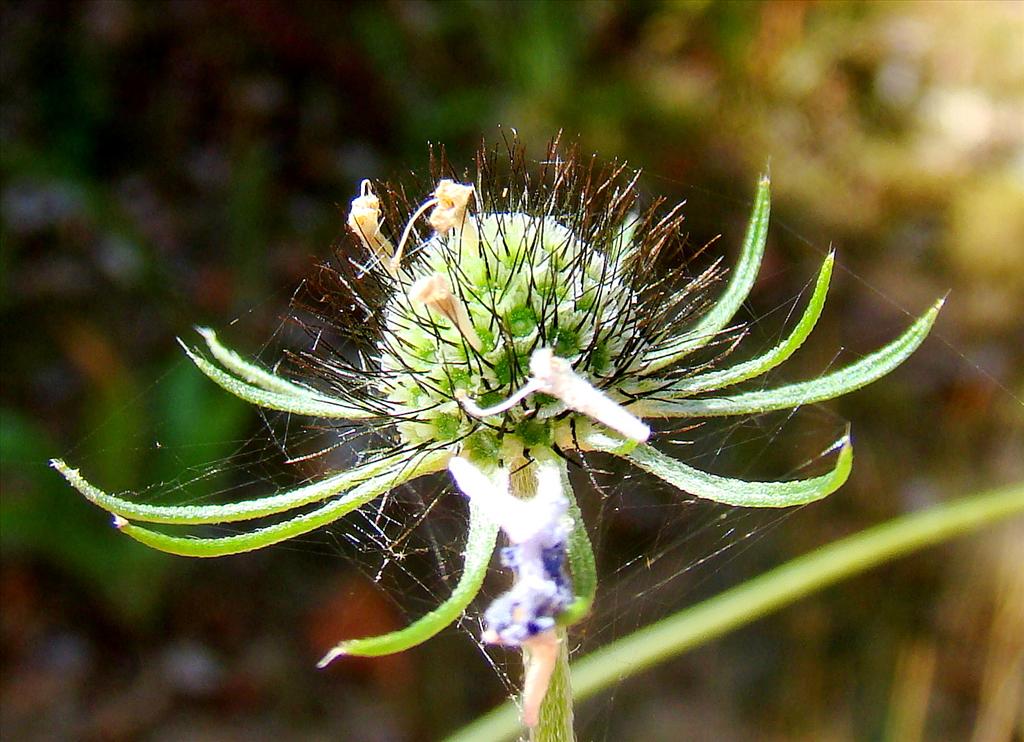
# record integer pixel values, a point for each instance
(368, 491)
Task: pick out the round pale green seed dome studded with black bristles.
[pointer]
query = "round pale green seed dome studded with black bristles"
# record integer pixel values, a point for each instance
(484, 298)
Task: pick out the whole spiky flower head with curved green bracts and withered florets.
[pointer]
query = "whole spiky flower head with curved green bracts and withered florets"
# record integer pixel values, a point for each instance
(530, 316)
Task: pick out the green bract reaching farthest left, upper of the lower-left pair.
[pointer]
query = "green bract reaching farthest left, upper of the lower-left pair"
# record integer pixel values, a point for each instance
(231, 512)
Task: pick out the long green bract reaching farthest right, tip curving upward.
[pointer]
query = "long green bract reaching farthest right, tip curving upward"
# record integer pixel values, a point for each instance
(856, 376)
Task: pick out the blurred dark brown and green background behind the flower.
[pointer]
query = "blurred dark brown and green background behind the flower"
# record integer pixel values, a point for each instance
(180, 163)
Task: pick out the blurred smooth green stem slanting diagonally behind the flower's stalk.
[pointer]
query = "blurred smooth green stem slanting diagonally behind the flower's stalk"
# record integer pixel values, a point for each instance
(761, 596)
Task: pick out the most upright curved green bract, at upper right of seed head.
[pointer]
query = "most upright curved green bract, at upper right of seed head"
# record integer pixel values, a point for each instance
(736, 293)
